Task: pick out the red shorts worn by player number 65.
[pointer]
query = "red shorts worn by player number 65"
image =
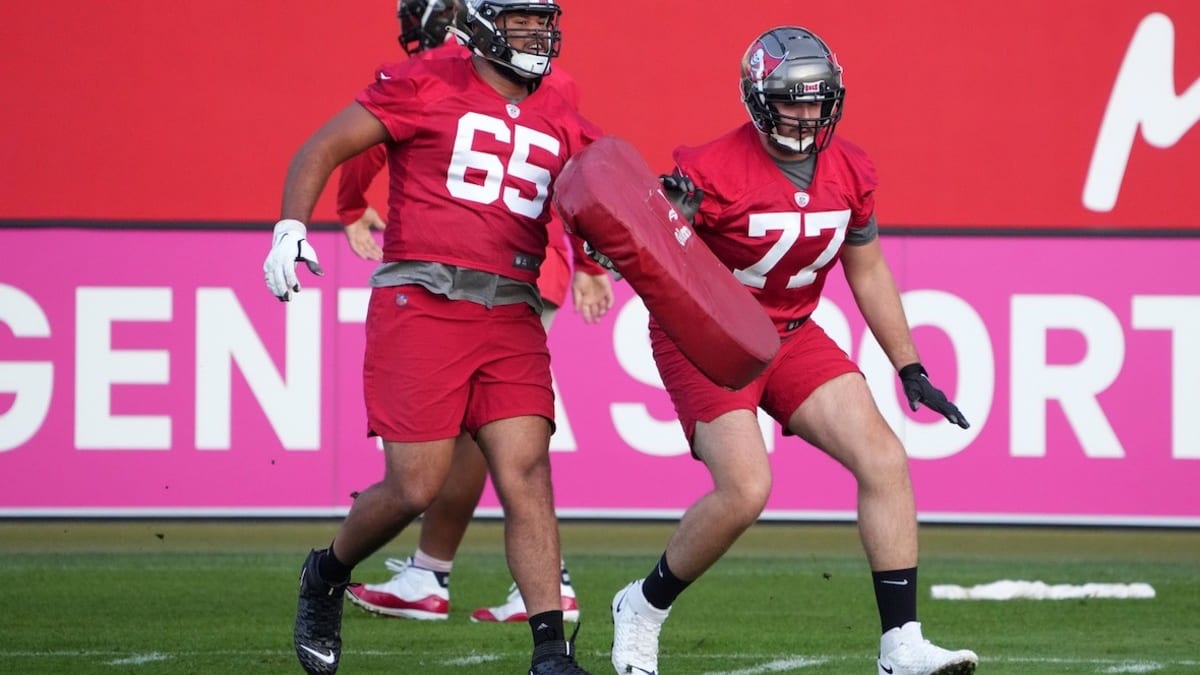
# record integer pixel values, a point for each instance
(436, 367)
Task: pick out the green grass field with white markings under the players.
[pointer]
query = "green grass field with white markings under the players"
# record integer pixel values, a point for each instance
(176, 598)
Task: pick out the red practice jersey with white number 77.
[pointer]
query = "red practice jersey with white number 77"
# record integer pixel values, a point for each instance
(778, 241)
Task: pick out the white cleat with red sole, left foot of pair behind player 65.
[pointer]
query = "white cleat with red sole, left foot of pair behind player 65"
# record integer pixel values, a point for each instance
(412, 593)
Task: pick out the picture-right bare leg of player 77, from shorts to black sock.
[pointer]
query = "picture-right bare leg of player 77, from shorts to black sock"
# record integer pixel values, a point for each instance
(842, 420)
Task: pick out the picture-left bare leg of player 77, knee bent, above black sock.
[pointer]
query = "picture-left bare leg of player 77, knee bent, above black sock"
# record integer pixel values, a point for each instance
(731, 446)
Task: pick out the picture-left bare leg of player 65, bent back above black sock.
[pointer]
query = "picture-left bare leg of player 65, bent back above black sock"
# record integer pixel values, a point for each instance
(413, 475)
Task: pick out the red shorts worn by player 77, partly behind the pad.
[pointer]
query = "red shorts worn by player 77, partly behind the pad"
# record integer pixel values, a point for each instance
(807, 360)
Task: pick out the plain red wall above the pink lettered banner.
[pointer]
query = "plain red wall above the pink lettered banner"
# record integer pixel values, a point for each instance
(976, 114)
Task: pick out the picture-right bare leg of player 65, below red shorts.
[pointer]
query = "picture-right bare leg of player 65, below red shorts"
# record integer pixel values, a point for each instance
(518, 452)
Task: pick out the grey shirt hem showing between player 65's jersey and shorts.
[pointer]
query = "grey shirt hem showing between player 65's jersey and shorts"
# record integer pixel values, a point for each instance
(458, 284)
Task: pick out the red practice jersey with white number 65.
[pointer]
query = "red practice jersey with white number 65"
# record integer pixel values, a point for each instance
(471, 175)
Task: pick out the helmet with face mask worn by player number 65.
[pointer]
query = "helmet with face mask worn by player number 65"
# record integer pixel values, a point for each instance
(525, 52)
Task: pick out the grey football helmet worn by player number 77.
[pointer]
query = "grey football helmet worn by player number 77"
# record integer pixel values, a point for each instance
(793, 65)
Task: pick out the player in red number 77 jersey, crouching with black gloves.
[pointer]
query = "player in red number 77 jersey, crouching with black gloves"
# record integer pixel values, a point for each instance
(781, 201)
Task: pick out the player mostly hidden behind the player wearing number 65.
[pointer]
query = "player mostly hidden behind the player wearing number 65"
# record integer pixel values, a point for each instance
(421, 584)
